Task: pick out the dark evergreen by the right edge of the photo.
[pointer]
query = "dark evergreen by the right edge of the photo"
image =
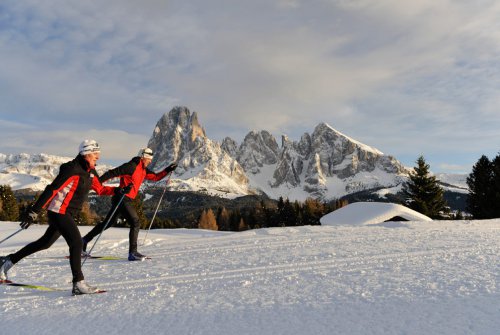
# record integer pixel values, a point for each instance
(480, 201)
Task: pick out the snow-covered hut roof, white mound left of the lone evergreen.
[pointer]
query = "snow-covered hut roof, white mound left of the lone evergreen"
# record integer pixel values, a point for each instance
(366, 213)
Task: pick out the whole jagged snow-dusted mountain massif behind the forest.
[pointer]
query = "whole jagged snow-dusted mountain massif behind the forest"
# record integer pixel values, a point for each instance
(325, 164)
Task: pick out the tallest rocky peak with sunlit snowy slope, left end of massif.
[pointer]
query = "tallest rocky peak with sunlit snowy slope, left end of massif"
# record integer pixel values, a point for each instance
(178, 137)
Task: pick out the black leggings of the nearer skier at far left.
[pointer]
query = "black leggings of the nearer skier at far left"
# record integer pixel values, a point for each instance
(59, 224)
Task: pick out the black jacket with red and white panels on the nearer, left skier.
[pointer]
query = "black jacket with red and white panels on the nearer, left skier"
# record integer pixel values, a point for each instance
(70, 189)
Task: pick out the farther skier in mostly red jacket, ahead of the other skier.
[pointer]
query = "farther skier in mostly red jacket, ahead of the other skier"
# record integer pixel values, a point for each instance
(131, 175)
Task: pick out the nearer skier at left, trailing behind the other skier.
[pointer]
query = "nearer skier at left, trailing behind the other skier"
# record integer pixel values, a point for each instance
(63, 199)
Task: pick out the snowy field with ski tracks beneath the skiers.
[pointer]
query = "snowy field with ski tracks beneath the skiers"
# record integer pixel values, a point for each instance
(390, 278)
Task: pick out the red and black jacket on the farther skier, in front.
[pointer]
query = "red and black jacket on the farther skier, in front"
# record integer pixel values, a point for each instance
(133, 172)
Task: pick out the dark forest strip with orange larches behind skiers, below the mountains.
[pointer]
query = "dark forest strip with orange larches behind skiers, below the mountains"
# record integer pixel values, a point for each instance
(263, 214)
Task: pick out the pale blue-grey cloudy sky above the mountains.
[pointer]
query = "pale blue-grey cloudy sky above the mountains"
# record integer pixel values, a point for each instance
(409, 78)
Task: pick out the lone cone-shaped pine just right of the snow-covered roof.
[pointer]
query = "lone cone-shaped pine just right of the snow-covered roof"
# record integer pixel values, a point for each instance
(423, 192)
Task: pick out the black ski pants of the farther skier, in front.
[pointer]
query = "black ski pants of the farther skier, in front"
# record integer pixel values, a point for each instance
(126, 211)
